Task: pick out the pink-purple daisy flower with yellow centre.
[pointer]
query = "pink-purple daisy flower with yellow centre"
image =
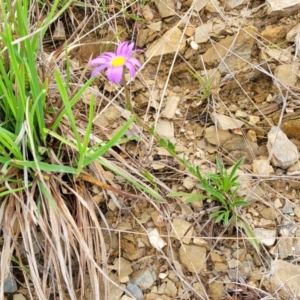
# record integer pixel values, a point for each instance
(115, 62)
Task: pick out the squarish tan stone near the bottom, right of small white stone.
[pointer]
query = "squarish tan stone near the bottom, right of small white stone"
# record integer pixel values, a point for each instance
(193, 258)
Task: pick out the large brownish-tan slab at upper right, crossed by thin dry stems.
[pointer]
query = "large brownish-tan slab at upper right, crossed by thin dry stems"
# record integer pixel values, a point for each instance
(232, 53)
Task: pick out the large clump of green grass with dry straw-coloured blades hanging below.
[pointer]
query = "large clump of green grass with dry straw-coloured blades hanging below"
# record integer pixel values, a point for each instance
(49, 220)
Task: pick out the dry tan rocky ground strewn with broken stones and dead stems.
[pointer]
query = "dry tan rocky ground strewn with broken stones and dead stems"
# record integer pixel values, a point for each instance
(244, 103)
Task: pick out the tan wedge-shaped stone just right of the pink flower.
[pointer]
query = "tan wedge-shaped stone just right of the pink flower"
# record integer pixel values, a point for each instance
(169, 43)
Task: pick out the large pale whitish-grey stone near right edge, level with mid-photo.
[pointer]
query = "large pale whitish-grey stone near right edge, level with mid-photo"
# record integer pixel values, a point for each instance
(284, 152)
